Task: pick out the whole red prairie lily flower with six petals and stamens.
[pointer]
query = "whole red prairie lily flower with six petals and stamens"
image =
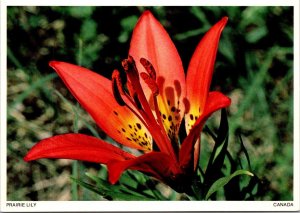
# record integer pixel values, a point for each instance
(146, 113)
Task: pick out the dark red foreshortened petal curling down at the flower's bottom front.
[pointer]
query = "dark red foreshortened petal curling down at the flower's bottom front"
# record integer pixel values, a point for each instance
(158, 164)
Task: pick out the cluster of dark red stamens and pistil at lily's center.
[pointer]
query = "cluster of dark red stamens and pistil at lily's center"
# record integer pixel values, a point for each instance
(130, 94)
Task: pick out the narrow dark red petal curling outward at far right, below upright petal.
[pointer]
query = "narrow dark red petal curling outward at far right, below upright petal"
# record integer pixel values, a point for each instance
(215, 101)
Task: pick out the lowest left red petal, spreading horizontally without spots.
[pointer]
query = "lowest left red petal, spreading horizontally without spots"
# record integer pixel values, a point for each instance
(77, 147)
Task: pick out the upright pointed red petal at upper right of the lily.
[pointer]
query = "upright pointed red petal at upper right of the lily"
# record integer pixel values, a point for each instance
(200, 72)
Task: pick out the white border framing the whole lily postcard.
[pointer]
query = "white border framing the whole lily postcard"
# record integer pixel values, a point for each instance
(84, 206)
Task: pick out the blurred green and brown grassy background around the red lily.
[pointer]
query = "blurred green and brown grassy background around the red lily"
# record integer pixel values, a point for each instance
(254, 67)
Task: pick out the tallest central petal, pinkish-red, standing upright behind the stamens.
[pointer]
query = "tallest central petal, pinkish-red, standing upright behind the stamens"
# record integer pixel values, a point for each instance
(151, 41)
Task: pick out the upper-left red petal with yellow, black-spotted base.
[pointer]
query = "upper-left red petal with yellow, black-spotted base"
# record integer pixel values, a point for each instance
(95, 94)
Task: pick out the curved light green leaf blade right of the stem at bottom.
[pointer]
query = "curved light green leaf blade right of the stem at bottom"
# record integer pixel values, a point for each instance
(224, 180)
